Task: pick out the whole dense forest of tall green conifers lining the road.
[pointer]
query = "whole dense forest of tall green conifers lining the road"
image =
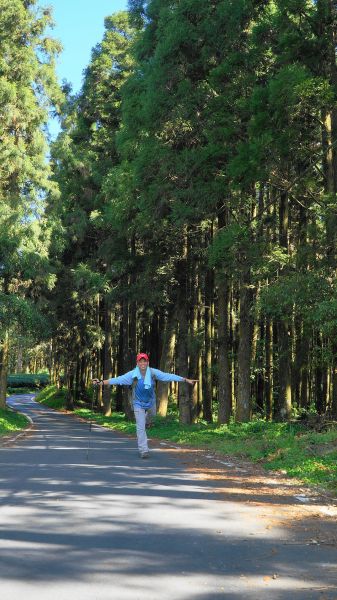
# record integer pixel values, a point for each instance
(187, 208)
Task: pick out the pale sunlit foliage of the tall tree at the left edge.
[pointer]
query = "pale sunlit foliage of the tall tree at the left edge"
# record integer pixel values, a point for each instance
(28, 91)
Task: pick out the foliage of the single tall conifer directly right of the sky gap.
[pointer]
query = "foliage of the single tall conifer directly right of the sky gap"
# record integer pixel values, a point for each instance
(89, 249)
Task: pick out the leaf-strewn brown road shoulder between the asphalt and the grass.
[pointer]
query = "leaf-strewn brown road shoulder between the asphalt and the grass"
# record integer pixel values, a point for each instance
(310, 514)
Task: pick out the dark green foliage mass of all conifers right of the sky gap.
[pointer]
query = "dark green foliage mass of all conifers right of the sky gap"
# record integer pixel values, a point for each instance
(197, 115)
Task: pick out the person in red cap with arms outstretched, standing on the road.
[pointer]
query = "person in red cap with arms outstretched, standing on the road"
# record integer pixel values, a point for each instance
(142, 380)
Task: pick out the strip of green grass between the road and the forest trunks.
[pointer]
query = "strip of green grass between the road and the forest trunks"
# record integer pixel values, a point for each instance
(302, 453)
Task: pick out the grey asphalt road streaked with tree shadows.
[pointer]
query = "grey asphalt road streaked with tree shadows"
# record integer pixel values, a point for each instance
(102, 524)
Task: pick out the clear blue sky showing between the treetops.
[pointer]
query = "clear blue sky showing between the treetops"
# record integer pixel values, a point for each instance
(79, 25)
